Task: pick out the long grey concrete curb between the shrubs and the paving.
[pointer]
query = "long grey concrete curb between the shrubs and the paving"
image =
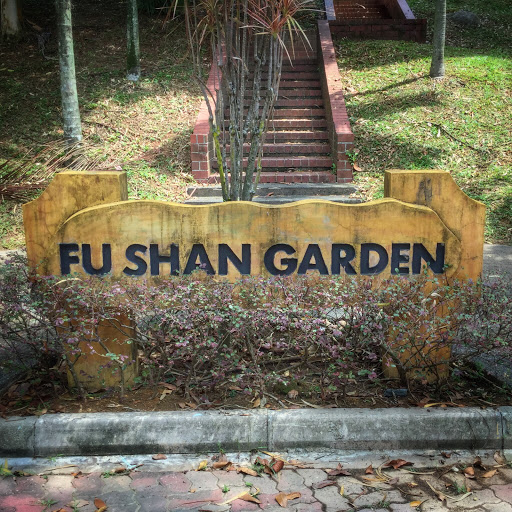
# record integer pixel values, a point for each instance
(192, 432)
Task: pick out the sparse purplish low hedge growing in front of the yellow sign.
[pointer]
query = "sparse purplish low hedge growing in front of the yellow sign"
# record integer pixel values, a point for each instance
(258, 334)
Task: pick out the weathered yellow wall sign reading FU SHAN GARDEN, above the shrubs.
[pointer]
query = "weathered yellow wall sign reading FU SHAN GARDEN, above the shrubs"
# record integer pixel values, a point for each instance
(83, 224)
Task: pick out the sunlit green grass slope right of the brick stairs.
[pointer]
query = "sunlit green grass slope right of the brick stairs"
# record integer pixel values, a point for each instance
(403, 119)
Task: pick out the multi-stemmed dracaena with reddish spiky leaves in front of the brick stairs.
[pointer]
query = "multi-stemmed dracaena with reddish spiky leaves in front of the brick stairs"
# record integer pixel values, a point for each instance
(248, 40)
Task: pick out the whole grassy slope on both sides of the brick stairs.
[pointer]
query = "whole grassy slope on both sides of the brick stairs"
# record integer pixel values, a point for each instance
(400, 117)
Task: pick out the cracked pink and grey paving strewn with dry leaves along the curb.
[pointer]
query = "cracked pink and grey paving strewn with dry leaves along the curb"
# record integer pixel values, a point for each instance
(310, 488)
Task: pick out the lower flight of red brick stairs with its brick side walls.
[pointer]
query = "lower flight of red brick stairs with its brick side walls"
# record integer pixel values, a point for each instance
(309, 132)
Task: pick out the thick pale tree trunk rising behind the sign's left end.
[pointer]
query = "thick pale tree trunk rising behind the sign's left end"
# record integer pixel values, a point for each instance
(69, 96)
